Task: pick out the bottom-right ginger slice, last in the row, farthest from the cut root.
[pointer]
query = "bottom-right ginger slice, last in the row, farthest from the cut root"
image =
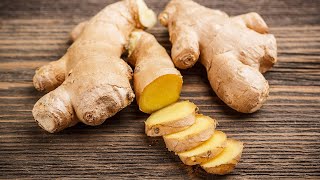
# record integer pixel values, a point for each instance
(226, 161)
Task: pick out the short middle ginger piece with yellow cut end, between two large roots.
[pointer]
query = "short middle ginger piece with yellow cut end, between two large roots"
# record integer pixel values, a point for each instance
(157, 83)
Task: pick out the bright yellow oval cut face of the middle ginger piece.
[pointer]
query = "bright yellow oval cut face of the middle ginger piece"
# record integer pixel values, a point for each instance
(160, 93)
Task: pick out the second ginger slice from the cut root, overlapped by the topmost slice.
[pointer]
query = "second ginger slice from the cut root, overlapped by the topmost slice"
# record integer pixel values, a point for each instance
(199, 132)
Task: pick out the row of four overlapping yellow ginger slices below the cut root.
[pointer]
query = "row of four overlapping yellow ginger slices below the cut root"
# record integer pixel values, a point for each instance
(194, 139)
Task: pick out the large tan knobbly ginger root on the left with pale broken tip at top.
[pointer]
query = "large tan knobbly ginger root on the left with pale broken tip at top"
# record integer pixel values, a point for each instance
(90, 83)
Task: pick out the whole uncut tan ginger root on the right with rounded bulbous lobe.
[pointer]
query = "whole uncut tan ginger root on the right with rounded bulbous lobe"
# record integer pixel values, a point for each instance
(234, 50)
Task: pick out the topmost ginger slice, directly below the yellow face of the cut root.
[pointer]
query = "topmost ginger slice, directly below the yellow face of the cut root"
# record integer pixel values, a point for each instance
(171, 119)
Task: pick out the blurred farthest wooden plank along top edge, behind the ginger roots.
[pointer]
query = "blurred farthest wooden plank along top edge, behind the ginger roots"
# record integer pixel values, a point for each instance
(285, 12)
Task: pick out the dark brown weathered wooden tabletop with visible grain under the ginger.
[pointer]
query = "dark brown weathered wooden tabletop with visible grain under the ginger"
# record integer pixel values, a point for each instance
(282, 140)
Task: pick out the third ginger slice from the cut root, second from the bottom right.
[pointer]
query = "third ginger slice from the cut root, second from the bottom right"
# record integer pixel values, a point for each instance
(206, 150)
